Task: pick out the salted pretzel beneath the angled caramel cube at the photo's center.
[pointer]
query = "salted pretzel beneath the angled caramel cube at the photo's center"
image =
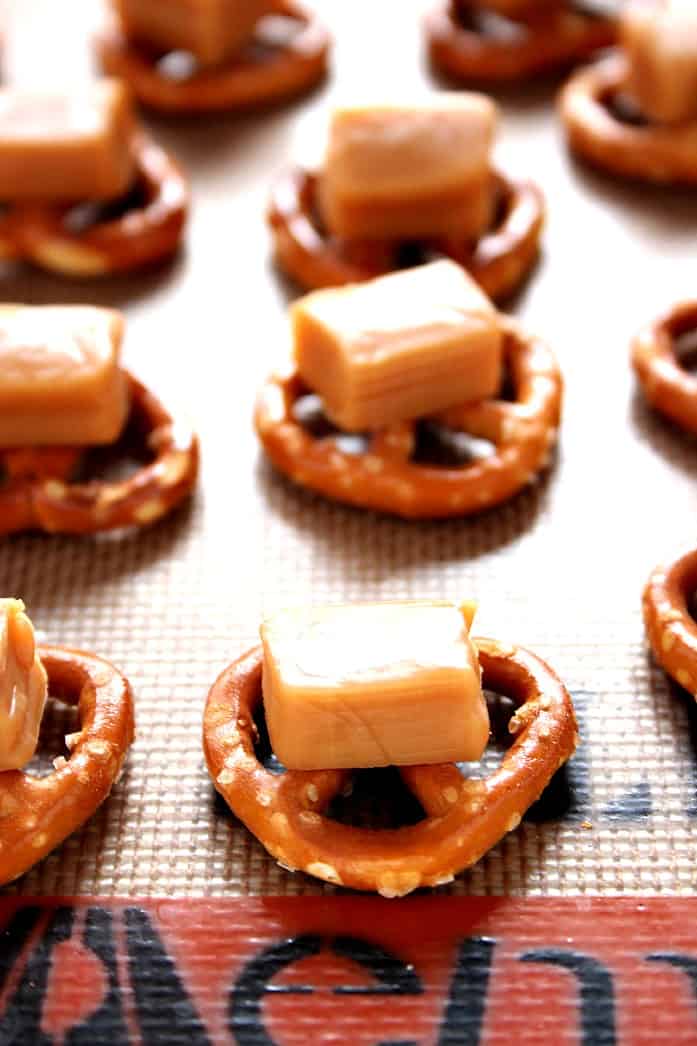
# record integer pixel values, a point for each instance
(385, 479)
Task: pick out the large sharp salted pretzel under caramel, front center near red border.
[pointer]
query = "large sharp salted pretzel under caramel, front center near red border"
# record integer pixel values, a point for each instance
(464, 817)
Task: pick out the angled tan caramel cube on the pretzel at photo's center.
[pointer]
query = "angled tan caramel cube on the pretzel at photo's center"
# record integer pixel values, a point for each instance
(398, 348)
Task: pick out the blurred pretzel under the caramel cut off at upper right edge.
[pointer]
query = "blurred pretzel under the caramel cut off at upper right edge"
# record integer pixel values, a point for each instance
(640, 150)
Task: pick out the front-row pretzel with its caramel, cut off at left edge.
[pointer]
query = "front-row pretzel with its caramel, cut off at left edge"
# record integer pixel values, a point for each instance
(37, 813)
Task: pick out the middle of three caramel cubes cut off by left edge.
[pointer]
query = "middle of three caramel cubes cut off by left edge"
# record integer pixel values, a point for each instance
(60, 380)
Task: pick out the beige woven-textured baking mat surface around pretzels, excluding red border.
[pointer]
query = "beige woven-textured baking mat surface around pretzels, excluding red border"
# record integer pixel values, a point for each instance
(559, 570)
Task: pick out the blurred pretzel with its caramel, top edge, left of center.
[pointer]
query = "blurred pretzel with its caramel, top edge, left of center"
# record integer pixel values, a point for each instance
(178, 58)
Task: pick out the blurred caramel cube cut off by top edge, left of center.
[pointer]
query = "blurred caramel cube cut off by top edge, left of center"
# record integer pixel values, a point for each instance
(210, 30)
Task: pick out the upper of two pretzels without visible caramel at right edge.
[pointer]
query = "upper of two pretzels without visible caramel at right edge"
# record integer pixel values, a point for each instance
(668, 386)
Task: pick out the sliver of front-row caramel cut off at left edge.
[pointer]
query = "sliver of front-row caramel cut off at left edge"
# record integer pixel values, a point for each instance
(24, 688)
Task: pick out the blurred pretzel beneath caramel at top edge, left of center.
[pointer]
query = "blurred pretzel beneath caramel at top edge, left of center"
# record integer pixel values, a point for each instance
(259, 77)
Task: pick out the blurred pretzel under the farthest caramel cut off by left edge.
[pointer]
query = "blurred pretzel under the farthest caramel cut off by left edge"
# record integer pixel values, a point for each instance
(146, 234)
